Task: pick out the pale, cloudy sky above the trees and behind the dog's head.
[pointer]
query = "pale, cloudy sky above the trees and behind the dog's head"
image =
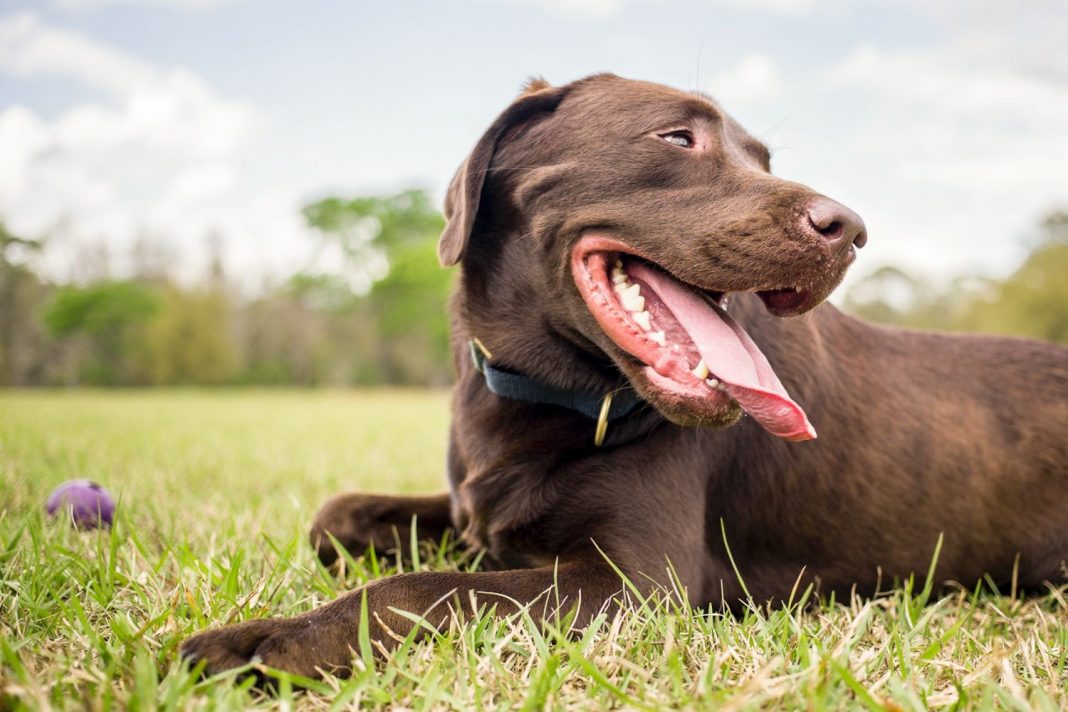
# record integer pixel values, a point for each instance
(193, 123)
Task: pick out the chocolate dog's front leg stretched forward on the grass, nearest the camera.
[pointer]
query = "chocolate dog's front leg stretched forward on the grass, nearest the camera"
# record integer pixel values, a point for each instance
(326, 639)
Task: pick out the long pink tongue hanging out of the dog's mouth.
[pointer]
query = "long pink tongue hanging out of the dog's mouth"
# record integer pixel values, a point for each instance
(732, 357)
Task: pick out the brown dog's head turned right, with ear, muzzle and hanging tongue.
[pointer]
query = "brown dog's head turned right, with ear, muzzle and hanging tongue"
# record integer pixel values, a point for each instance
(634, 212)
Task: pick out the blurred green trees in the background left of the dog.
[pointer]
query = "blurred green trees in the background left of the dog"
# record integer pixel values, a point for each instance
(380, 318)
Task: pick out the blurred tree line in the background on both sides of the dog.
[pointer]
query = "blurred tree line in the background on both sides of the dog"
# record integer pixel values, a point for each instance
(379, 314)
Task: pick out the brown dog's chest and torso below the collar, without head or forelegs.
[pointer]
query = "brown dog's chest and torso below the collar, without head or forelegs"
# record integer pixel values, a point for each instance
(920, 435)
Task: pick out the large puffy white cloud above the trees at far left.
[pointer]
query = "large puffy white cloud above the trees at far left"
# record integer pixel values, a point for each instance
(161, 154)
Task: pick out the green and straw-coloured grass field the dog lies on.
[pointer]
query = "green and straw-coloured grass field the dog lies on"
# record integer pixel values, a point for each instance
(217, 491)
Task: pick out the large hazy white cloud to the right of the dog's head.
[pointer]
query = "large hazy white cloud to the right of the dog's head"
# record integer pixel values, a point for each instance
(959, 159)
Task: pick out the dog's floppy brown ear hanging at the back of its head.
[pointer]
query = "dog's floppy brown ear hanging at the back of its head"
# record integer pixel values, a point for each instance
(465, 192)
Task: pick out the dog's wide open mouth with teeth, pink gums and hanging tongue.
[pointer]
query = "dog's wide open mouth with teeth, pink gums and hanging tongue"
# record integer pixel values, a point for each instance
(695, 354)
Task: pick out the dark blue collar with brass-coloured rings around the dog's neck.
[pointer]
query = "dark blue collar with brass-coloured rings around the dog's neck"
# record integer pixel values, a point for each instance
(603, 408)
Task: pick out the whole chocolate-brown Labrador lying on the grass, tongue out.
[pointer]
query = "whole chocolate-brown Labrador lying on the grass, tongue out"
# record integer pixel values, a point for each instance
(620, 238)
